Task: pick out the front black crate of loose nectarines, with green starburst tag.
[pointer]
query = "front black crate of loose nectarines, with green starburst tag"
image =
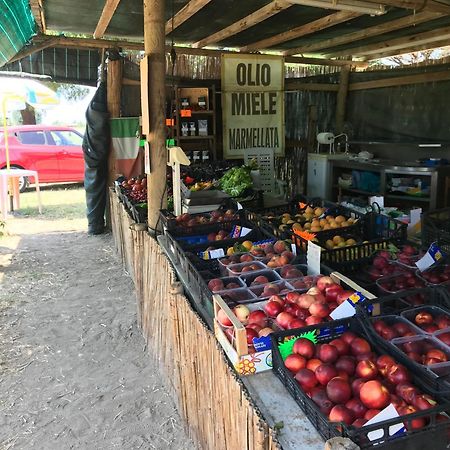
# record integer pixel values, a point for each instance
(395, 433)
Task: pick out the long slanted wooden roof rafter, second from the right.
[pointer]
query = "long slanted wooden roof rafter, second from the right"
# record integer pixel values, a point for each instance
(387, 27)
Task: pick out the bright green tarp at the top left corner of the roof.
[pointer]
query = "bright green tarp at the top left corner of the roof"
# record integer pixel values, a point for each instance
(17, 26)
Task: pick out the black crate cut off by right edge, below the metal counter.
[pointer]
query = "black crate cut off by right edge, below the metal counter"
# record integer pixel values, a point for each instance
(436, 228)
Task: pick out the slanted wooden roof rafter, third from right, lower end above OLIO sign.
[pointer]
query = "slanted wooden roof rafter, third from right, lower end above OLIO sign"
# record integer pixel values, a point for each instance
(303, 30)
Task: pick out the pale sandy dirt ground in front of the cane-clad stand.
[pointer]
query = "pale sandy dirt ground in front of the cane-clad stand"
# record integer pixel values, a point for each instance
(73, 367)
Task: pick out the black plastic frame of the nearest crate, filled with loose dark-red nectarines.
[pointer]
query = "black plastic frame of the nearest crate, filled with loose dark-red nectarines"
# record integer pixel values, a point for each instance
(436, 432)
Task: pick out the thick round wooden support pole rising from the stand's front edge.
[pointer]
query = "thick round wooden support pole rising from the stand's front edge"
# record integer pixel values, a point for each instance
(154, 46)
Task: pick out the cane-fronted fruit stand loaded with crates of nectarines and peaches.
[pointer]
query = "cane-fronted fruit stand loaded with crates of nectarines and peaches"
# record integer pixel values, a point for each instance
(225, 307)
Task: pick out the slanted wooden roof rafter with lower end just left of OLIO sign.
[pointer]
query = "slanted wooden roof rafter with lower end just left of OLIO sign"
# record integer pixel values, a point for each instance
(256, 17)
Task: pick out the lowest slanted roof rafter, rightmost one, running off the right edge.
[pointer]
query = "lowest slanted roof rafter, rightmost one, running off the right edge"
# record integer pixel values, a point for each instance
(426, 38)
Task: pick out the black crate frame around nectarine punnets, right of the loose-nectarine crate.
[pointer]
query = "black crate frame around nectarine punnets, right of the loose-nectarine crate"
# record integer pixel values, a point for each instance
(394, 305)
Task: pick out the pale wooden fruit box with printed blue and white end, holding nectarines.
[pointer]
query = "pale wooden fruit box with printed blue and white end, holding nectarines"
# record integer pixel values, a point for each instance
(237, 350)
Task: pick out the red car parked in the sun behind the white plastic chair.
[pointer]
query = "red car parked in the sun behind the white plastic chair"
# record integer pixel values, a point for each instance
(55, 152)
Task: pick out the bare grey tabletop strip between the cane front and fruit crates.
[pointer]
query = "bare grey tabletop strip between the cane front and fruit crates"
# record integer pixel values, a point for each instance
(270, 396)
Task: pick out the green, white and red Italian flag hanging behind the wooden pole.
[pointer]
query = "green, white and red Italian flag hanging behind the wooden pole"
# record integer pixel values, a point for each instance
(125, 145)
